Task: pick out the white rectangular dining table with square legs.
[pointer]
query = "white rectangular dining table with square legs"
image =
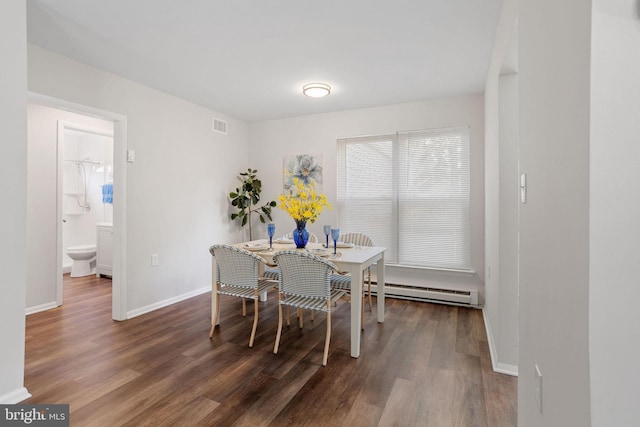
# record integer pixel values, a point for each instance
(352, 260)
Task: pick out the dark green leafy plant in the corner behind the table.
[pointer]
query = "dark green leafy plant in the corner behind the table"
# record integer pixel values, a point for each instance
(246, 199)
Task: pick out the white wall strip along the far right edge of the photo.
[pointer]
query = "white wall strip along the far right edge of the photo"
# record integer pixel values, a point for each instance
(614, 293)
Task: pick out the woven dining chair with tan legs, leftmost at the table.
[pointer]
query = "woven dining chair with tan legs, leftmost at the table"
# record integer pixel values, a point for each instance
(237, 276)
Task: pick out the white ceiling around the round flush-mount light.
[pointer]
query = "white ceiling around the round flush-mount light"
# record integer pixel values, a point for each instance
(250, 58)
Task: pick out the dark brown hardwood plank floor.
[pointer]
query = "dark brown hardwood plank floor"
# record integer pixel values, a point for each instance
(426, 365)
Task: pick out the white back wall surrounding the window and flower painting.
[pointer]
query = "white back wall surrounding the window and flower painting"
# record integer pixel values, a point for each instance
(272, 140)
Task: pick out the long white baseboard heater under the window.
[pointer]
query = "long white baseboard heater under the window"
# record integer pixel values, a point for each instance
(420, 293)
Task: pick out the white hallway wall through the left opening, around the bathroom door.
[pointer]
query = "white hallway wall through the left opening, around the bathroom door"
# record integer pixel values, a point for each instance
(41, 199)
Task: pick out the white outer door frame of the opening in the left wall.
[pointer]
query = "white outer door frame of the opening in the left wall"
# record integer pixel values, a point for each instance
(119, 278)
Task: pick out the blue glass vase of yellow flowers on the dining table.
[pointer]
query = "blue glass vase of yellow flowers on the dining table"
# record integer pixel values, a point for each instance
(303, 204)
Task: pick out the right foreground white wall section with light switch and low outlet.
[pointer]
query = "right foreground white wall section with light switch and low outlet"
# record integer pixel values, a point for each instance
(554, 62)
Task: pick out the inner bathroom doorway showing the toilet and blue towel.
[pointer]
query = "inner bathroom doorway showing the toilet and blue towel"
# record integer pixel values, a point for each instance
(84, 200)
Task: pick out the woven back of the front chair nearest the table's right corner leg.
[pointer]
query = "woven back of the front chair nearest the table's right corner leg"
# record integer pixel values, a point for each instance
(304, 274)
